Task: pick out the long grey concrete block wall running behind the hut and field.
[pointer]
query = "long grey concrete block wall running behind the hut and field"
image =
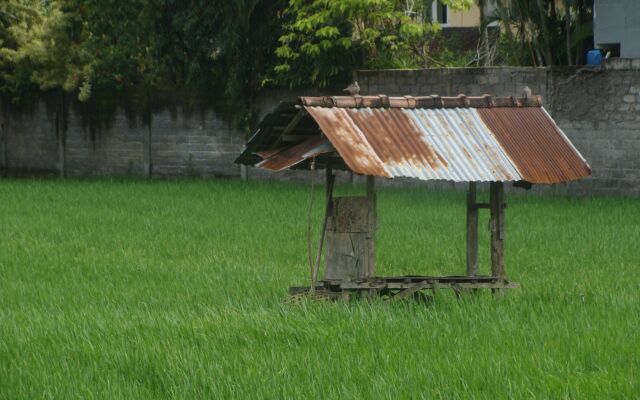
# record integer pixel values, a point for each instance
(598, 108)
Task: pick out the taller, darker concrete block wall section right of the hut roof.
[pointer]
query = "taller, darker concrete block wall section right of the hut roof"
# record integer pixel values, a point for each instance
(599, 110)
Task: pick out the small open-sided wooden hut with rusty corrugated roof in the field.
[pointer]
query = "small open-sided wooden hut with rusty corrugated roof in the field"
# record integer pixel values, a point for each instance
(459, 139)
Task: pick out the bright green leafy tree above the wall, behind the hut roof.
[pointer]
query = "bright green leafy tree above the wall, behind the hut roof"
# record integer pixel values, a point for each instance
(325, 40)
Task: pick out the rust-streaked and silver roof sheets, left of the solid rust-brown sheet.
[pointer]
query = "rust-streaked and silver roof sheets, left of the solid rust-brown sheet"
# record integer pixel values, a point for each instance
(430, 144)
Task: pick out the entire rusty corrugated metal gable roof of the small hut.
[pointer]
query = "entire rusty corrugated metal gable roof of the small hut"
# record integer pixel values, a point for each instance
(460, 139)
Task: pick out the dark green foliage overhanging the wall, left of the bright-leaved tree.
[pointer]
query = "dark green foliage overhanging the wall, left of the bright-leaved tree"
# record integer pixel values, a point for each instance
(222, 47)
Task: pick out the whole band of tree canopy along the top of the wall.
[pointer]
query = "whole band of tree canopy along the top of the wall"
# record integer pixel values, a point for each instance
(234, 48)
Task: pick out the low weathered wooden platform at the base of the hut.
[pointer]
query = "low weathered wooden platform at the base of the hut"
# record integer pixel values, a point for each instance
(400, 287)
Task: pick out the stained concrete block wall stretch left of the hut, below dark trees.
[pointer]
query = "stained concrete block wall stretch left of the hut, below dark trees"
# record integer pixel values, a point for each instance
(169, 143)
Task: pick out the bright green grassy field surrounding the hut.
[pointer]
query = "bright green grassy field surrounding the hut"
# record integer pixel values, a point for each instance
(135, 289)
